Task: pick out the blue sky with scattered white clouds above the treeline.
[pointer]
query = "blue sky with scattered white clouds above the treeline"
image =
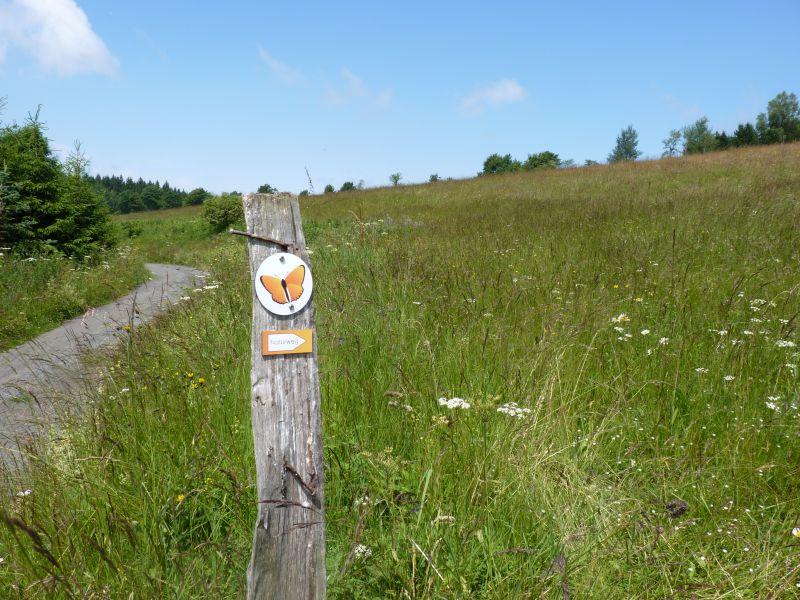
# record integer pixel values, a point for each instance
(230, 96)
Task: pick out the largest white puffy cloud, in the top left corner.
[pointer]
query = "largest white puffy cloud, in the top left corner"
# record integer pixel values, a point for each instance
(57, 33)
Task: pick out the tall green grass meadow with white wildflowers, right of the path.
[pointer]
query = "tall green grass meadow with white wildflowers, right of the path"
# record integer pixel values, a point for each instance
(570, 383)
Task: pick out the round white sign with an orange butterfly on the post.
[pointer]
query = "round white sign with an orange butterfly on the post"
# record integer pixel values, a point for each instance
(284, 284)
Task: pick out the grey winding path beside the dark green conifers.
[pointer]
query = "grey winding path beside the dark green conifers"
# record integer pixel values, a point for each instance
(41, 378)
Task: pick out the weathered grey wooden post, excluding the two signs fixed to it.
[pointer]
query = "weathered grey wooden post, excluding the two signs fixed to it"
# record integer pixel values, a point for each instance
(288, 560)
